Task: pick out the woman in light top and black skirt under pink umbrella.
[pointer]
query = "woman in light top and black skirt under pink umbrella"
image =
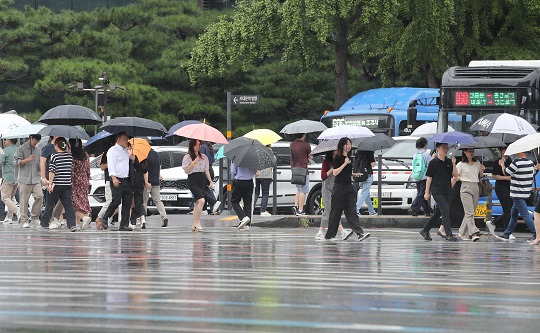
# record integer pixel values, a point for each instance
(197, 166)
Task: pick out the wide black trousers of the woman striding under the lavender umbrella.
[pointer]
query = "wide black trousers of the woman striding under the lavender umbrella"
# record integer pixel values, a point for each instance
(343, 201)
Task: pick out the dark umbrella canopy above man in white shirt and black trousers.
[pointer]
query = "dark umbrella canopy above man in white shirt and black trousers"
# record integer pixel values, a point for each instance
(134, 126)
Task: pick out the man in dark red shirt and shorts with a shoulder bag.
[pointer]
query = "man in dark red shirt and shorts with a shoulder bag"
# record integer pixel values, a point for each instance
(300, 155)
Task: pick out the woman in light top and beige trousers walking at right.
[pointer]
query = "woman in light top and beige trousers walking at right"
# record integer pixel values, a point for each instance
(470, 171)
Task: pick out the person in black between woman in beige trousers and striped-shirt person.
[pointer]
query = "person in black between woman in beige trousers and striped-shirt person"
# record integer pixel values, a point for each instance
(502, 189)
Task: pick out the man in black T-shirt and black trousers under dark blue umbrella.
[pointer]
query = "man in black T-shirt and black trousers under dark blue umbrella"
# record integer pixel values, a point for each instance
(438, 183)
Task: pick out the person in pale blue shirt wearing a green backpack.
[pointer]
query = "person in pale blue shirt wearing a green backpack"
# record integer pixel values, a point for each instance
(421, 160)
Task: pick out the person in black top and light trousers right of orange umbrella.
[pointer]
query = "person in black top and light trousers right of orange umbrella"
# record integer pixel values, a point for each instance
(152, 180)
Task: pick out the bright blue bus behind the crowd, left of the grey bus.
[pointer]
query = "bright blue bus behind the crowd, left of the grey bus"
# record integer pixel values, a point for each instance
(387, 110)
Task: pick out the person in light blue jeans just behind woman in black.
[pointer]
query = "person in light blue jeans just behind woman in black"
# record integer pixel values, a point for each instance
(364, 164)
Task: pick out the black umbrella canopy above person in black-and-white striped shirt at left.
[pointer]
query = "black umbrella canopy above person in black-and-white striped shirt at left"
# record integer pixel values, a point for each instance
(70, 115)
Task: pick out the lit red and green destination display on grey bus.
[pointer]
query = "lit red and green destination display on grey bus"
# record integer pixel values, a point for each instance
(485, 98)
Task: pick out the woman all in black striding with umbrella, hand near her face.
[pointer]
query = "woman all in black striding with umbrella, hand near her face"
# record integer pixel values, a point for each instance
(344, 194)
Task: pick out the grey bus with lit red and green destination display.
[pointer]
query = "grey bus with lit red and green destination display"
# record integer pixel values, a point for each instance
(484, 87)
